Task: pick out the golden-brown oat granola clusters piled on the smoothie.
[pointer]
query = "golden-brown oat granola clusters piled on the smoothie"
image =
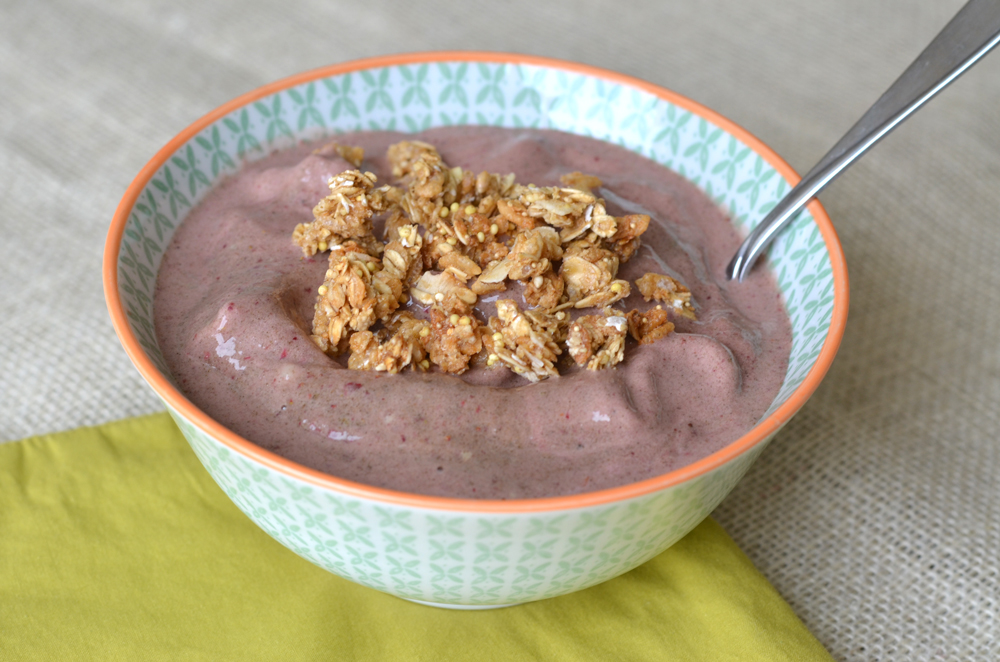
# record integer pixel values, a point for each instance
(452, 236)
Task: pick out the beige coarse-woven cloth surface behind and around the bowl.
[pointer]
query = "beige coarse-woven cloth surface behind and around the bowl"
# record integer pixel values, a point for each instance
(876, 512)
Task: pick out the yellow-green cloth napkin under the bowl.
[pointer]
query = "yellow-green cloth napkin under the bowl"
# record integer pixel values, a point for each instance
(115, 544)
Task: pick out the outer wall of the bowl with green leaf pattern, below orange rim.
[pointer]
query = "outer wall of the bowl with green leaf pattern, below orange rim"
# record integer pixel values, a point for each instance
(462, 558)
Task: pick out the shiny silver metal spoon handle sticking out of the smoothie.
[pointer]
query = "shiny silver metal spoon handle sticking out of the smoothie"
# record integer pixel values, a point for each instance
(973, 31)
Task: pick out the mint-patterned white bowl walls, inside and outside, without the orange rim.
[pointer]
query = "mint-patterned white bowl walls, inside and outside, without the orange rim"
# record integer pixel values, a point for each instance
(462, 557)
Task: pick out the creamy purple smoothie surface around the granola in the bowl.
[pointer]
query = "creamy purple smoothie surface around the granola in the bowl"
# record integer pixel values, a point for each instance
(234, 306)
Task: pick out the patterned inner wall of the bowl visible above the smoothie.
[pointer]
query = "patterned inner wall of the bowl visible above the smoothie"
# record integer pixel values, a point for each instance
(422, 91)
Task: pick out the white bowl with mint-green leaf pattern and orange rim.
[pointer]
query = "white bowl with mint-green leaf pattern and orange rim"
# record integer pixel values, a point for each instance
(457, 552)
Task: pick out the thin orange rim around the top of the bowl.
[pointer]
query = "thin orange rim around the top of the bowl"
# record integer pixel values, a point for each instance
(177, 401)
